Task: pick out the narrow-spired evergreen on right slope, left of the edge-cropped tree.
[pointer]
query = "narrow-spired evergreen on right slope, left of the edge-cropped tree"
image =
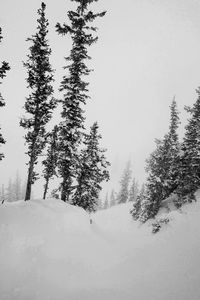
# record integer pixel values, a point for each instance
(162, 168)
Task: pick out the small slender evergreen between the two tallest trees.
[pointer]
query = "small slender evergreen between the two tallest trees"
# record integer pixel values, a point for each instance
(51, 159)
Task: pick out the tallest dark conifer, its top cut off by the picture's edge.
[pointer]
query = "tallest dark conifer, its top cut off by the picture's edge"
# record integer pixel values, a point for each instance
(75, 90)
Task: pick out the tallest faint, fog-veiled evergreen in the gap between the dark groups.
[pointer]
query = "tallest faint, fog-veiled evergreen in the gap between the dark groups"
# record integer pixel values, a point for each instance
(124, 184)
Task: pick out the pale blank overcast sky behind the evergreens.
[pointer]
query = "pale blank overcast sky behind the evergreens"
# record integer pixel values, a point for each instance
(148, 51)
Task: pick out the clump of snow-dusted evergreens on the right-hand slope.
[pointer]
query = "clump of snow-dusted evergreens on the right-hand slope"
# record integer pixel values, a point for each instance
(173, 168)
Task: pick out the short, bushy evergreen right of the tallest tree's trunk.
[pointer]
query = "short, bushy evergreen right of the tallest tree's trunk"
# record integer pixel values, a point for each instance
(92, 172)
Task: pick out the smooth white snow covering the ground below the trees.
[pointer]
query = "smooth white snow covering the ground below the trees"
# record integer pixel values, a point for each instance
(50, 251)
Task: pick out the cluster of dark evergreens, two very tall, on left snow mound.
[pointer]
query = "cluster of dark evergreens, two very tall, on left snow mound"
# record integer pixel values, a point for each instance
(72, 154)
